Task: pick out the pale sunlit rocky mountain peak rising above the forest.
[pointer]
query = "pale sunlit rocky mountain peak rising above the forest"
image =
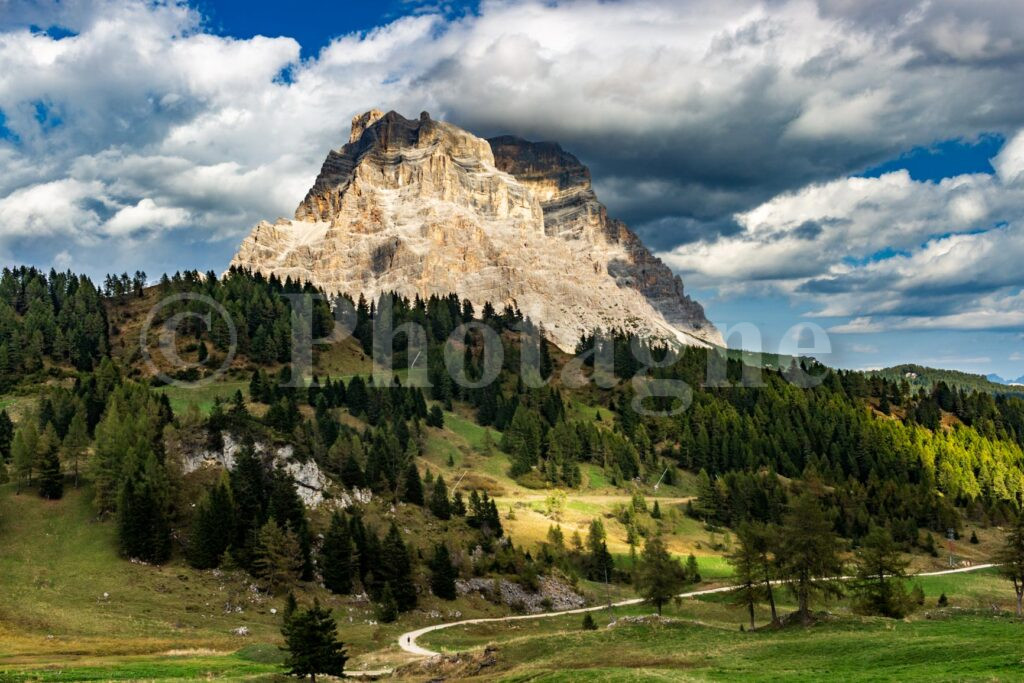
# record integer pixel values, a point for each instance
(422, 207)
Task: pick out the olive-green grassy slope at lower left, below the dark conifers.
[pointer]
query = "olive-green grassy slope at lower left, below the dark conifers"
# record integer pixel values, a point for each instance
(59, 562)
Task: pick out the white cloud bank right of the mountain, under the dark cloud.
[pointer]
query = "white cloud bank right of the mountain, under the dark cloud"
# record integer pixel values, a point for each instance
(887, 252)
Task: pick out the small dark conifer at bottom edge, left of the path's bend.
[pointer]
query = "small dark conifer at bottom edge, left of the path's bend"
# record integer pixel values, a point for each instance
(313, 646)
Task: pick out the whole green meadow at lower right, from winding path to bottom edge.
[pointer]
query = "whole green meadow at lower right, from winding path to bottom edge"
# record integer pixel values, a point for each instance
(965, 643)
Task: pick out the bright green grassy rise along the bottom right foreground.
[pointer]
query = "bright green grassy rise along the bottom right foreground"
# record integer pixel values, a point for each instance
(960, 648)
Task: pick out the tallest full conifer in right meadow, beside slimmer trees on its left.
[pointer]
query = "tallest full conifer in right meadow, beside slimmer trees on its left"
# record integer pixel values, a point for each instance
(808, 553)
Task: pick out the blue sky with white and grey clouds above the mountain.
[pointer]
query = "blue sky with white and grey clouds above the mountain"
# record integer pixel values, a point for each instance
(856, 166)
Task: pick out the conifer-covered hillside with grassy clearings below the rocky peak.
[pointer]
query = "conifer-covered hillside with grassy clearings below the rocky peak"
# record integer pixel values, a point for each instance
(392, 494)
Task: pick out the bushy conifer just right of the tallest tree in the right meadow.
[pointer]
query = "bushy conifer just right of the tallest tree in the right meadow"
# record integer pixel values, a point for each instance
(880, 571)
